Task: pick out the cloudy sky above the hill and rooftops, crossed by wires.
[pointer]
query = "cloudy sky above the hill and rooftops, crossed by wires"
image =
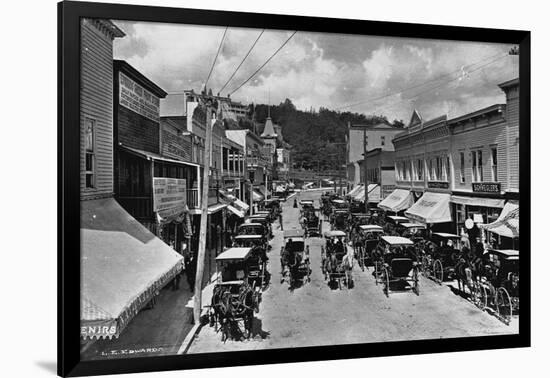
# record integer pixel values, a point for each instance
(376, 75)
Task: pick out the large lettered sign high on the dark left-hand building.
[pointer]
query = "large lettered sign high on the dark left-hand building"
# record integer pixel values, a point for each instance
(138, 99)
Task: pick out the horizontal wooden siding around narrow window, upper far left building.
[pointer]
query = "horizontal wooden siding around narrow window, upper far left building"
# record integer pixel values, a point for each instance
(96, 103)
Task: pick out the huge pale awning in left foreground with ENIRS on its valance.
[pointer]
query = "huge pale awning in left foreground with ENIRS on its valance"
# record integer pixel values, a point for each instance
(123, 266)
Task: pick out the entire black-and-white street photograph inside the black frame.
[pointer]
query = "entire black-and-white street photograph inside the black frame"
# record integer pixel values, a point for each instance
(245, 189)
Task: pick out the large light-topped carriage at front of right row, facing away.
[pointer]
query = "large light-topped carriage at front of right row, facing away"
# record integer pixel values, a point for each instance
(395, 263)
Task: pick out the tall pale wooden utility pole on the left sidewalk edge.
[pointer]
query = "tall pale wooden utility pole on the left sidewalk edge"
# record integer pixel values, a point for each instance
(197, 302)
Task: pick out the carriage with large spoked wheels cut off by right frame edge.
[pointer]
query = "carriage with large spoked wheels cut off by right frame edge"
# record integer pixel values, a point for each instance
(499, 283)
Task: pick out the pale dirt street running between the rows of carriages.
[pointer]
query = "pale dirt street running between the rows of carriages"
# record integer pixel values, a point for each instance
(315, 315)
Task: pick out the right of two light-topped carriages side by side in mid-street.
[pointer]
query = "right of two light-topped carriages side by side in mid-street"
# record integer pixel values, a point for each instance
(336, 262)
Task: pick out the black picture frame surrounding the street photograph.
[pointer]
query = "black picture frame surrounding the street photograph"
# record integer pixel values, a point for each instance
(69, 14)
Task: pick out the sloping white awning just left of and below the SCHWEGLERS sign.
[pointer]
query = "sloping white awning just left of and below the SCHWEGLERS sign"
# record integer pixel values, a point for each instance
(431, 208)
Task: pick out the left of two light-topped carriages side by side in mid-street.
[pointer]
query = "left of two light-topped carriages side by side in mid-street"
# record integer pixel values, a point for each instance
(295, 264)
